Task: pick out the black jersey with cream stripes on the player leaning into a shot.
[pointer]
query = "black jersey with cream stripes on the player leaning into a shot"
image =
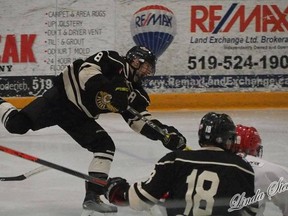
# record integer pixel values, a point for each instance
(83, 81)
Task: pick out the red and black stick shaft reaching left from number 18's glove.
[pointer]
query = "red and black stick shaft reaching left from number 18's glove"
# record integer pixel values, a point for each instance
(53, 166)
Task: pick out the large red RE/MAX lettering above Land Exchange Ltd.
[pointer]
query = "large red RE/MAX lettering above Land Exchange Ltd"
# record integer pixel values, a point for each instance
(262, 18)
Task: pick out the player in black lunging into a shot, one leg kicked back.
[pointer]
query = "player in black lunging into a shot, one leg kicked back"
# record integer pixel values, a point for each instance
(103, 83)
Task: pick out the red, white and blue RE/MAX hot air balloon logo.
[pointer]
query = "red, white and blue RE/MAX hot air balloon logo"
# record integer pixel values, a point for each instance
(154, 27)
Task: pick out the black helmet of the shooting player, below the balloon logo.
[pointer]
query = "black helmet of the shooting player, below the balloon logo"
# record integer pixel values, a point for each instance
(144, 55)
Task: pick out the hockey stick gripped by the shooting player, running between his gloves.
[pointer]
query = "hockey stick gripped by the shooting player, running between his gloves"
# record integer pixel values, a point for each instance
(154, 126)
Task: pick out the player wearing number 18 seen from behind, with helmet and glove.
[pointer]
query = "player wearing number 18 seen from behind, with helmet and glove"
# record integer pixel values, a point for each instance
(209, 181)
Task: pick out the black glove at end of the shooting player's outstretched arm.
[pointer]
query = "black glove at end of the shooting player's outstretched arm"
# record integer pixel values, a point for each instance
(174, 140)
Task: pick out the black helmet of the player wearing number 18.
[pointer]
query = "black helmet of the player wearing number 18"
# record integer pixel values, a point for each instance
(218, 130)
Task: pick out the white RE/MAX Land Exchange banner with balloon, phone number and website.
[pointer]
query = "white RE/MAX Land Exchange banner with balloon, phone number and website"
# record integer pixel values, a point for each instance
(214, 45)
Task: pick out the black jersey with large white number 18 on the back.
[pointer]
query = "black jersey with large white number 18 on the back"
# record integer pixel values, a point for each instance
(199, 182)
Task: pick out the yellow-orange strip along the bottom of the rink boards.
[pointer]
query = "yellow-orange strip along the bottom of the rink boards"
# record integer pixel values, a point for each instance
(207, 101)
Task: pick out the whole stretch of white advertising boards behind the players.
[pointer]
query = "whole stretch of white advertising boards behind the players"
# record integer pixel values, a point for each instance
(202, 46)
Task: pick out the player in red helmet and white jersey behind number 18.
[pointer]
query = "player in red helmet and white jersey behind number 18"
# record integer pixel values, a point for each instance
(267, 174)
